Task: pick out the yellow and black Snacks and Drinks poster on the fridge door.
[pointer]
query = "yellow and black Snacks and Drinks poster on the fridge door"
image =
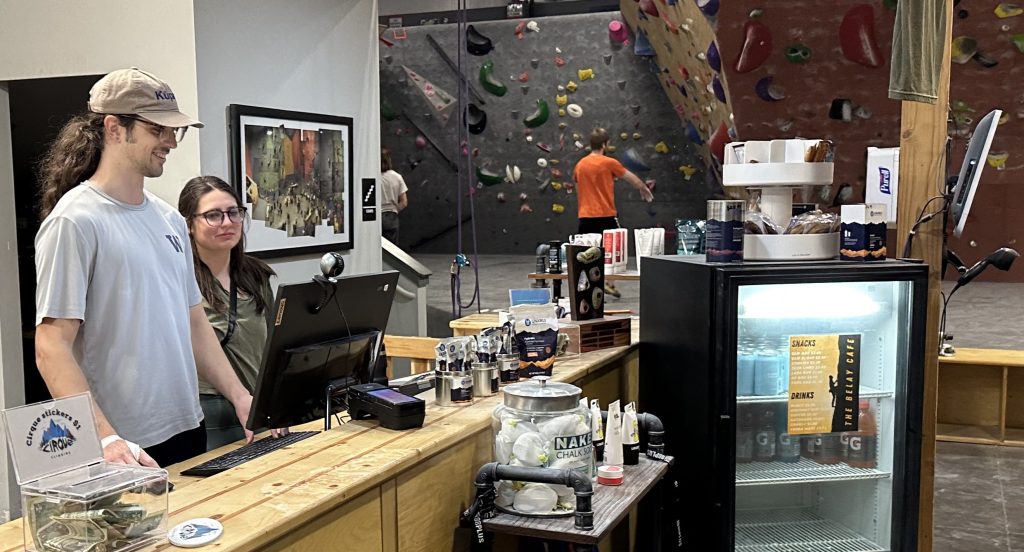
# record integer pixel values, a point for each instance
(825, 384)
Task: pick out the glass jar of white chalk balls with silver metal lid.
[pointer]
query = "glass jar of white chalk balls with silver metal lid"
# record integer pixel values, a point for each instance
(542, 424)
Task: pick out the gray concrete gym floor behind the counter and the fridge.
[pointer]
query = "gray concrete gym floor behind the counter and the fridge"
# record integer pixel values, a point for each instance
(979, 498)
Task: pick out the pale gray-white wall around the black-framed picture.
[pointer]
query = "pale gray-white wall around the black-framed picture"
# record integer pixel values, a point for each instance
(305, 56)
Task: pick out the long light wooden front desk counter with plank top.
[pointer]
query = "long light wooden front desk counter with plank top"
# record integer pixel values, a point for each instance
(362, 488)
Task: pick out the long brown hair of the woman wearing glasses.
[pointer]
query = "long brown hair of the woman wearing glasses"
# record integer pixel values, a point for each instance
(249, 274)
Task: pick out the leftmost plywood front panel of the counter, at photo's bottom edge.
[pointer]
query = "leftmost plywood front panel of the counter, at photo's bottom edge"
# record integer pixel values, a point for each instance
(356, 526)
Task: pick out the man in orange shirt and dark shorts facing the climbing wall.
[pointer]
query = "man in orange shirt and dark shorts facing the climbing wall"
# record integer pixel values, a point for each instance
(595, 176)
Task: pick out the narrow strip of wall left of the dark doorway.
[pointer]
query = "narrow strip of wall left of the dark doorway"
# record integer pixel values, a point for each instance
(12, 374)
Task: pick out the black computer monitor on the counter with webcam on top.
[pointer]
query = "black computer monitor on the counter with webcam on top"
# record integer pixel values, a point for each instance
(322, 332)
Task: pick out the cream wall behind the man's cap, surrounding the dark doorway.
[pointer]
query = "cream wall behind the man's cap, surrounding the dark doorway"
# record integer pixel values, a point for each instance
(64, 38)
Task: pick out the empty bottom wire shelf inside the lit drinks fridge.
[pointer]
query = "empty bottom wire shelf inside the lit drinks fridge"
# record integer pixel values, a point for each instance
(796, 531)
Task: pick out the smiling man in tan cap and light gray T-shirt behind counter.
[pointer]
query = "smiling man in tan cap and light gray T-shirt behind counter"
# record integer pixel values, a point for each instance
(118, 312)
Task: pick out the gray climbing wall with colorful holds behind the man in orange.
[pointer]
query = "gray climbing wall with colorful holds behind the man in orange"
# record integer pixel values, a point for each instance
(624, 97)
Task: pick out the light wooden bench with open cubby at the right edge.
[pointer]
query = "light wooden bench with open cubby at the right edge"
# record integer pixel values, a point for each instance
(982, 398)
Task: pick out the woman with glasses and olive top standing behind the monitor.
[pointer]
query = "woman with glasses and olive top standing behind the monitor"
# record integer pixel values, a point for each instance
(237, 295)
